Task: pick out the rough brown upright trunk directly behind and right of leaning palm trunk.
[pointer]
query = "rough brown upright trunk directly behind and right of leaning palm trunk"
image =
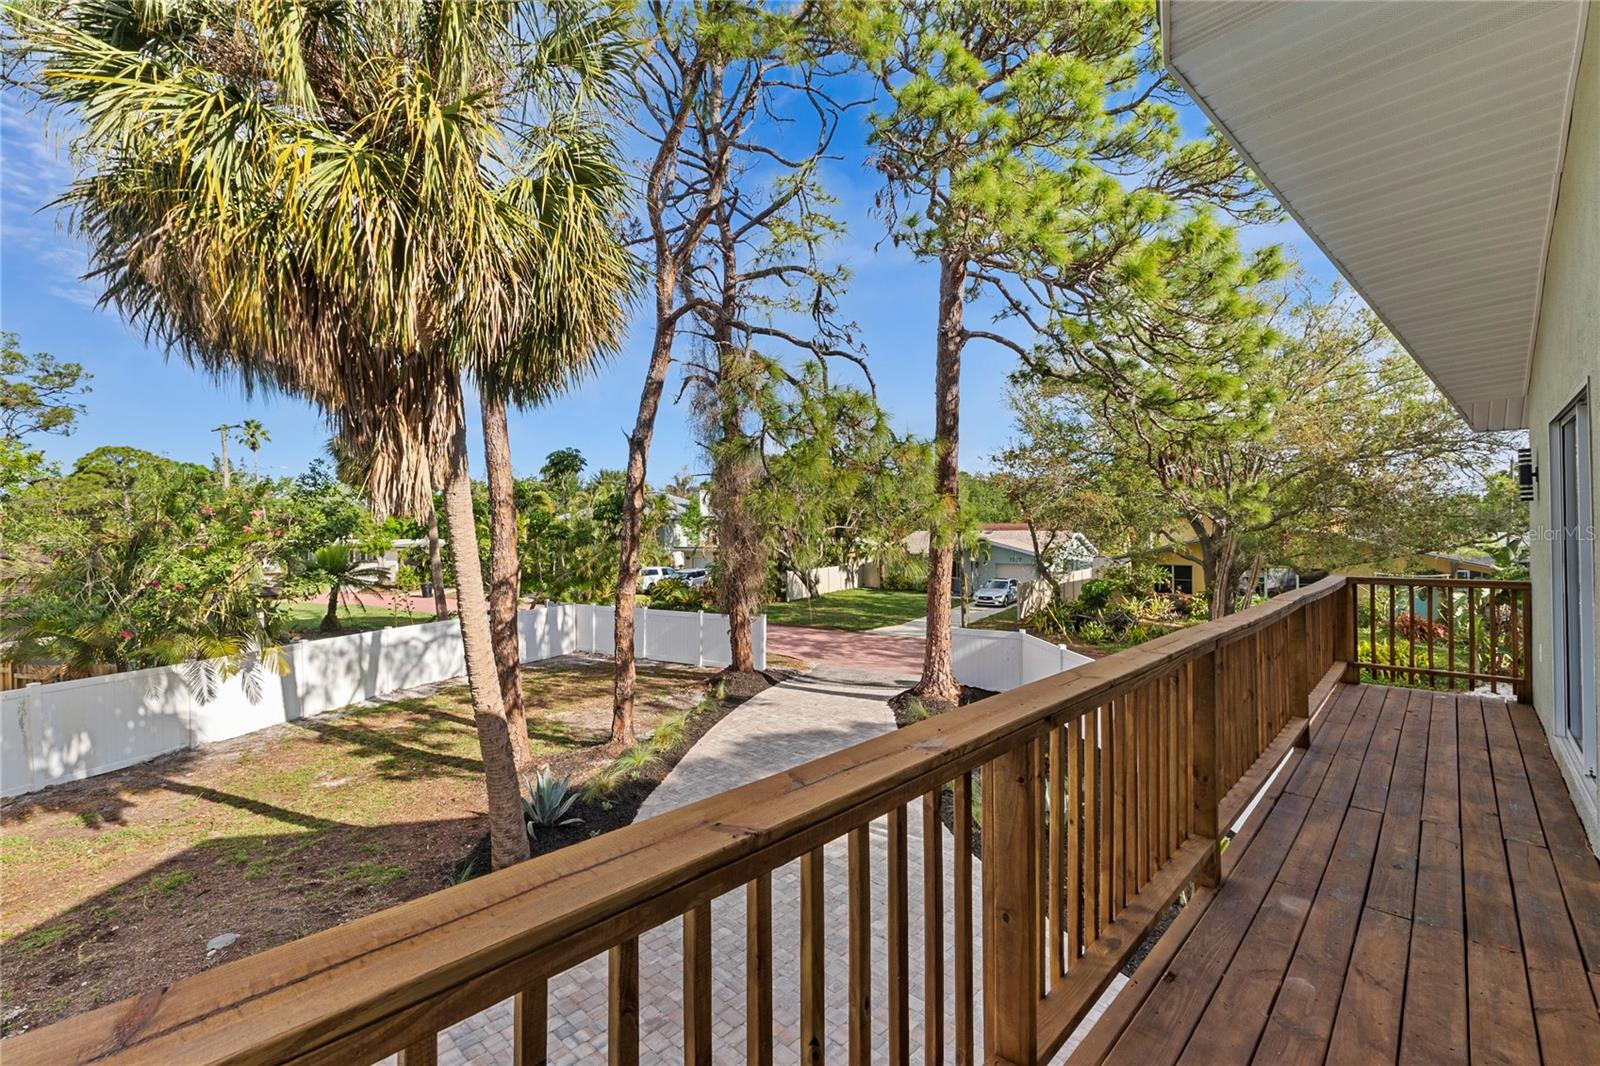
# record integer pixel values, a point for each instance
(505, 572)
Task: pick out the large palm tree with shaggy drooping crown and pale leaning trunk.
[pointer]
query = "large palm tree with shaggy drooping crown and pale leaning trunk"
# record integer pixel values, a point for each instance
(340, 201)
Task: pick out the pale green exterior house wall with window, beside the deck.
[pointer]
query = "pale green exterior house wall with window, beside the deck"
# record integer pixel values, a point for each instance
(1566, 361)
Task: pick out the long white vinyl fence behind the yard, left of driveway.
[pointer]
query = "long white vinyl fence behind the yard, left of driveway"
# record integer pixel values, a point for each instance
(78, 729)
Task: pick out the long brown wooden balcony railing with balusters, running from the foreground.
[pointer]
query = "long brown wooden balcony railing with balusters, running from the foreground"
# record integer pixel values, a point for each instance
(1105, 791)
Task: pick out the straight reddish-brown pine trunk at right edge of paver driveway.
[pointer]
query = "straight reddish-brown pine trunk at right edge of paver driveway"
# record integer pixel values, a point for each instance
(938, 668)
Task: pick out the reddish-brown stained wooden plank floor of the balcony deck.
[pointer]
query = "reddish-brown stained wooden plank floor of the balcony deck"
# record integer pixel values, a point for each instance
(1417, 891)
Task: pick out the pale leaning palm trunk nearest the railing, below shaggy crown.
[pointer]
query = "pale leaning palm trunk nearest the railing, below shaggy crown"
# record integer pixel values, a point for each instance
(508, 838)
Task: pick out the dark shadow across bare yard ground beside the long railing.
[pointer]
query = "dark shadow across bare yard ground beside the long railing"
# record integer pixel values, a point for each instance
(153, 929)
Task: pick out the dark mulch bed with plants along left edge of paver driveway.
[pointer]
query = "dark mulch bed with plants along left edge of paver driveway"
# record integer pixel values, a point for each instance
(623, 804)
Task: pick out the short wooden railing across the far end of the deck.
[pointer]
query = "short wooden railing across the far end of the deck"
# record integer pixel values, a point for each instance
(1444, 633)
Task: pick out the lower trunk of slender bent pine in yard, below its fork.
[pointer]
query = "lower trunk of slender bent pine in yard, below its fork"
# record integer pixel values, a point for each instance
(634, 535)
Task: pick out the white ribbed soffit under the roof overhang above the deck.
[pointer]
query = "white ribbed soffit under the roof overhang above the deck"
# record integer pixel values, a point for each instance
(1420, 145)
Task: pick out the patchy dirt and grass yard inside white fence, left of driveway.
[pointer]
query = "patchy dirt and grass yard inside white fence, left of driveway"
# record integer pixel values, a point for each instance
(135, 880)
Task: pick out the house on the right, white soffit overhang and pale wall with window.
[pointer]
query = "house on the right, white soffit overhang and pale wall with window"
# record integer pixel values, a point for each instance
(1447, 159)
